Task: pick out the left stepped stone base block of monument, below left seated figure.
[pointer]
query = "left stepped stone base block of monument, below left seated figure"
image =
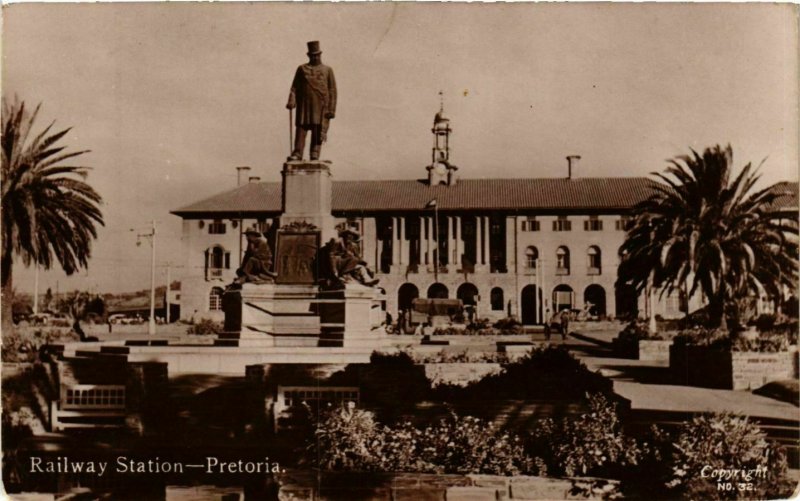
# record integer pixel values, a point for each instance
(271, 315)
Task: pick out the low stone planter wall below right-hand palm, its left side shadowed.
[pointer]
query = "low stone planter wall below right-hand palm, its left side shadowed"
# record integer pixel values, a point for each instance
(711, 368)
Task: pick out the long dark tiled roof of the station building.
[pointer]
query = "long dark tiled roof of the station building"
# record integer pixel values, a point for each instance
(475, 194)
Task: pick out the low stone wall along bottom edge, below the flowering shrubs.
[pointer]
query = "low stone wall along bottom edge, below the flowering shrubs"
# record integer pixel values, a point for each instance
(308, 486)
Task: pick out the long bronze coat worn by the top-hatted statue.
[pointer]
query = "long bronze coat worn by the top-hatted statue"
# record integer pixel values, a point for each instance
(314, 93)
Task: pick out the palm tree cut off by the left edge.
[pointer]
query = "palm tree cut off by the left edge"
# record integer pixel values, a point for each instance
(49, 213)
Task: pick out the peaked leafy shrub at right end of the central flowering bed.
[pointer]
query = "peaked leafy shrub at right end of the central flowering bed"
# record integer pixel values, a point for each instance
(592, 444)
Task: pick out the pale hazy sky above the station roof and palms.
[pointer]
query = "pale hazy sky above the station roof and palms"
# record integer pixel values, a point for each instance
(170, 98)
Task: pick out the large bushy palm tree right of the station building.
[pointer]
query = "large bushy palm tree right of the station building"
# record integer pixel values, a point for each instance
(705, 230)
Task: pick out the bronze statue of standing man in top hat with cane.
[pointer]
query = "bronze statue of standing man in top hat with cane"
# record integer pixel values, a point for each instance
(314, 95)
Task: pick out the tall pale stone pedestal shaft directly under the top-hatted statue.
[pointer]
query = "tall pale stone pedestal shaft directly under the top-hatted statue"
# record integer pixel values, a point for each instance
(307, 195)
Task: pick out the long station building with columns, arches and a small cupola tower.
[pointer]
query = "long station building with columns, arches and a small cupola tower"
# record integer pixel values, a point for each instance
(510, 247)
